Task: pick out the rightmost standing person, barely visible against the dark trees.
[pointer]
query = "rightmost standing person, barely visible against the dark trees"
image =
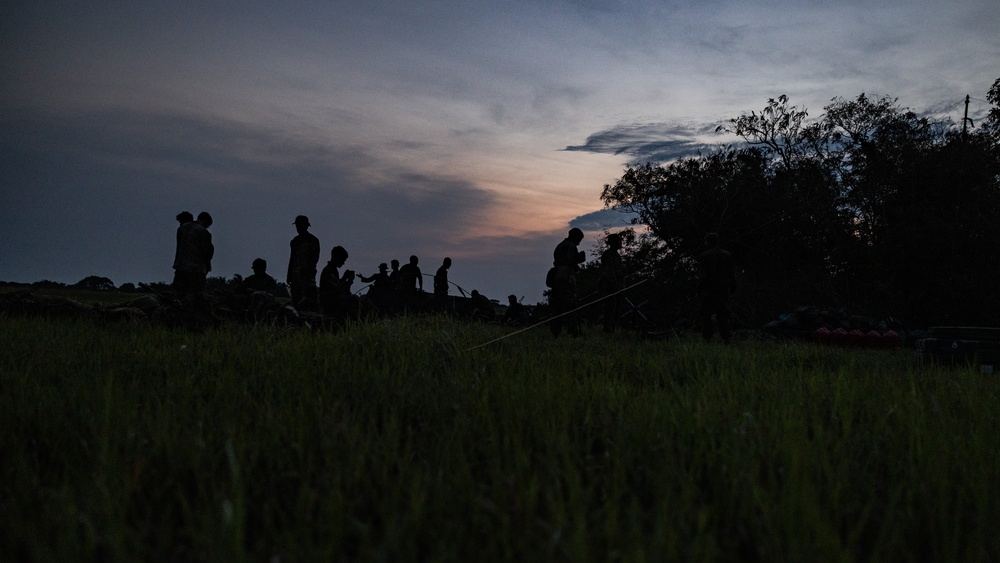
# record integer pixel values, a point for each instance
(716, 284)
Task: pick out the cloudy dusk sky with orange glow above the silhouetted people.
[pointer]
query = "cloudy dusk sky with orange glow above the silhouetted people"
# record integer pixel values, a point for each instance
(477, 130)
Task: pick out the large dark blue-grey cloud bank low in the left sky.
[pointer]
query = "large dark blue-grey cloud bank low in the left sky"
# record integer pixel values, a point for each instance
(87, 190)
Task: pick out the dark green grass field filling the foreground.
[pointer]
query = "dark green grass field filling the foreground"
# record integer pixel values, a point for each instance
(400, 440)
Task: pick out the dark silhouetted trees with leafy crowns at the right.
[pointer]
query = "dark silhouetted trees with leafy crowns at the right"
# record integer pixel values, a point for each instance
(870, 207)
